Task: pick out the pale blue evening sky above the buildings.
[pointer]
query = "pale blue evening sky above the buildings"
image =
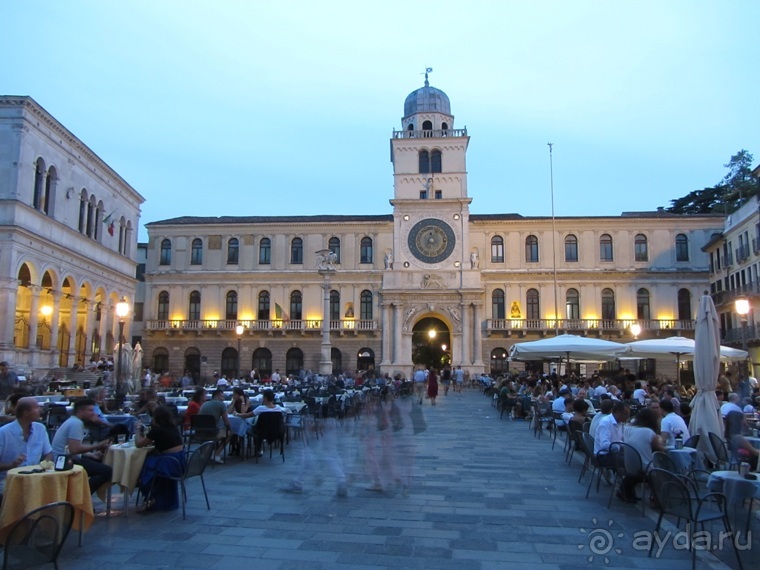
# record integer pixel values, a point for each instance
(274, 108)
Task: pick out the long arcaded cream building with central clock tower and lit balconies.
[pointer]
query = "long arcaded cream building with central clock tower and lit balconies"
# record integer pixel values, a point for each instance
(430, 272)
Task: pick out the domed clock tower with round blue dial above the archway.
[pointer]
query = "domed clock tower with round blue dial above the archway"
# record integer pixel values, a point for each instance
(432, 276)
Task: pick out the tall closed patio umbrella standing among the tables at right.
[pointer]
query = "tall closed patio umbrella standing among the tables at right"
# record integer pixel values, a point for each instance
(705, 416)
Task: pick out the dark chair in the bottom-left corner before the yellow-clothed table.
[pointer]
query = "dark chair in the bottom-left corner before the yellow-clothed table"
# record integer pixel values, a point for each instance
(38, 537)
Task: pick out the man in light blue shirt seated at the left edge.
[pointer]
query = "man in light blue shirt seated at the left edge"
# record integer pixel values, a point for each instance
(24, 441)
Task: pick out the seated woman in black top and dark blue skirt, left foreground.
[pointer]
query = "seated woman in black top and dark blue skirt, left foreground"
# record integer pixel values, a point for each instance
(161, 493)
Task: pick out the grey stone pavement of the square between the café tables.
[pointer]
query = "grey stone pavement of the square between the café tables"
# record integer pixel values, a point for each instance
(486, 494)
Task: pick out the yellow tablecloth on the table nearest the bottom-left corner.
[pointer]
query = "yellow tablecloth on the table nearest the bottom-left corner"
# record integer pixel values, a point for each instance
(24, 493)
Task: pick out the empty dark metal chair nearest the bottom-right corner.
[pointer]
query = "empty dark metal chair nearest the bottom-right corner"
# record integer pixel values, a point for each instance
(674, 499)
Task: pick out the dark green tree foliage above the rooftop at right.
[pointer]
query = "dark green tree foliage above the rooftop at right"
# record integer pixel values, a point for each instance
(736, 187)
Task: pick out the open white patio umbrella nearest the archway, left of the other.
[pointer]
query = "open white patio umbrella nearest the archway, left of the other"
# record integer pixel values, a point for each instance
(568, 346)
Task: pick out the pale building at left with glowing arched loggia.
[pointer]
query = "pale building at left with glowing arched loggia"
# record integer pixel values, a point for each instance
(68, 230)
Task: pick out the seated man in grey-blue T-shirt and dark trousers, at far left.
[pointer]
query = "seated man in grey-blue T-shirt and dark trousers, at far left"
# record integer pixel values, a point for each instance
(71, 435)
